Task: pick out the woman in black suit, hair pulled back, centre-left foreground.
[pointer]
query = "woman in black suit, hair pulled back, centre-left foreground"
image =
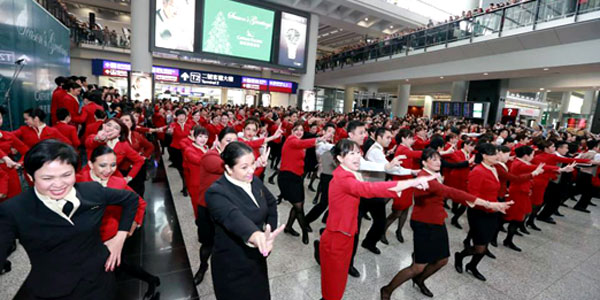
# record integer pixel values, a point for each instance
(244, 211)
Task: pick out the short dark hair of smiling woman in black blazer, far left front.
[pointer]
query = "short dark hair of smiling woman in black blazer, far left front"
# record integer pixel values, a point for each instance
(48, 151)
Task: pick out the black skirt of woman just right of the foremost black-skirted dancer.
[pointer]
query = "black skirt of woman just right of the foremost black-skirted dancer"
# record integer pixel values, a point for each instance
(482, 226)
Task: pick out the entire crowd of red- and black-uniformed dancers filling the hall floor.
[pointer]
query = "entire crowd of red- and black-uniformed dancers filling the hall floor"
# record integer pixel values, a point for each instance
(498, 175)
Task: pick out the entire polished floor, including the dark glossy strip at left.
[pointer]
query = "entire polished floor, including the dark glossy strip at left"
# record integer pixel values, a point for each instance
(561, 262)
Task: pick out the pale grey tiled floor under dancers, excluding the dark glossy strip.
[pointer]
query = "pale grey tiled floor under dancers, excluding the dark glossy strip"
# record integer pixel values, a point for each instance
(561, 262)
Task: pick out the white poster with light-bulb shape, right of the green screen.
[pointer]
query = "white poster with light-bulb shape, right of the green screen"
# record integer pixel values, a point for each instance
(292, 40)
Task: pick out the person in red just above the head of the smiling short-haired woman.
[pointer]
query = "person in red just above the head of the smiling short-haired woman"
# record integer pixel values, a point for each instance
(36, 130)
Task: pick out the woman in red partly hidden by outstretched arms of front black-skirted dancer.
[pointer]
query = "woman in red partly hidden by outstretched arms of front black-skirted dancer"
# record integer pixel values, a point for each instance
(458, 177)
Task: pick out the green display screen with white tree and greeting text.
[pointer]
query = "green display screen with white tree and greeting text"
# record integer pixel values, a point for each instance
(237, 29)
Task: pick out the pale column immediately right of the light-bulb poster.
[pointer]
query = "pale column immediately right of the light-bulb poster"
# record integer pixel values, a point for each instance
(307, 81)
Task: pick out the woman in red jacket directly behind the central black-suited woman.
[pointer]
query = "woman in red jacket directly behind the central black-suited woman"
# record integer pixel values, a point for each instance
(209, 169)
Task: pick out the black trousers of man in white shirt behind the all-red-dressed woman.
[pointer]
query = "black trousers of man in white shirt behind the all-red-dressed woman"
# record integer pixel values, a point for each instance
(376, 208)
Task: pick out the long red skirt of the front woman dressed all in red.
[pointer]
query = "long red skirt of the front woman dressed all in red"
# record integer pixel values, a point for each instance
(335, 251)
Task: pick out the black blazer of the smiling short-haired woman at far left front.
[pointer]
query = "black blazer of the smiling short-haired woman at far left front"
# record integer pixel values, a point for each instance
(62, 254)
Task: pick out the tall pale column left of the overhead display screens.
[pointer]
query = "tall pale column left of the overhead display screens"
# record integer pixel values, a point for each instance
(141, 58)
